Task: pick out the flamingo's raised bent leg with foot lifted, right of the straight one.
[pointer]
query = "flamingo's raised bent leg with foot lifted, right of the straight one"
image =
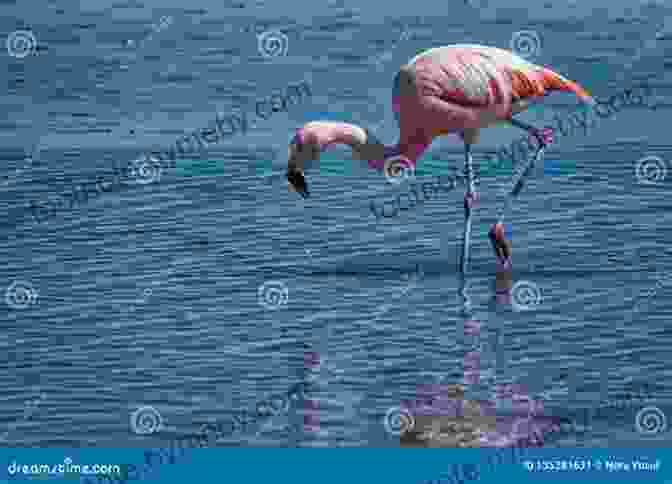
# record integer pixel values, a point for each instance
(497, 236)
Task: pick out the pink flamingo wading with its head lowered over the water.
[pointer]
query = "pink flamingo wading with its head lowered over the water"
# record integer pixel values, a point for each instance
(455, 89)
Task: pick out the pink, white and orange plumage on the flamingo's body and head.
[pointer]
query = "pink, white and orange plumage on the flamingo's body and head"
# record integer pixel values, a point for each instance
(448, 90)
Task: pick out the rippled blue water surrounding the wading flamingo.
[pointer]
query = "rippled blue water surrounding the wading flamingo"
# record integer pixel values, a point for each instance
(147, 294)
